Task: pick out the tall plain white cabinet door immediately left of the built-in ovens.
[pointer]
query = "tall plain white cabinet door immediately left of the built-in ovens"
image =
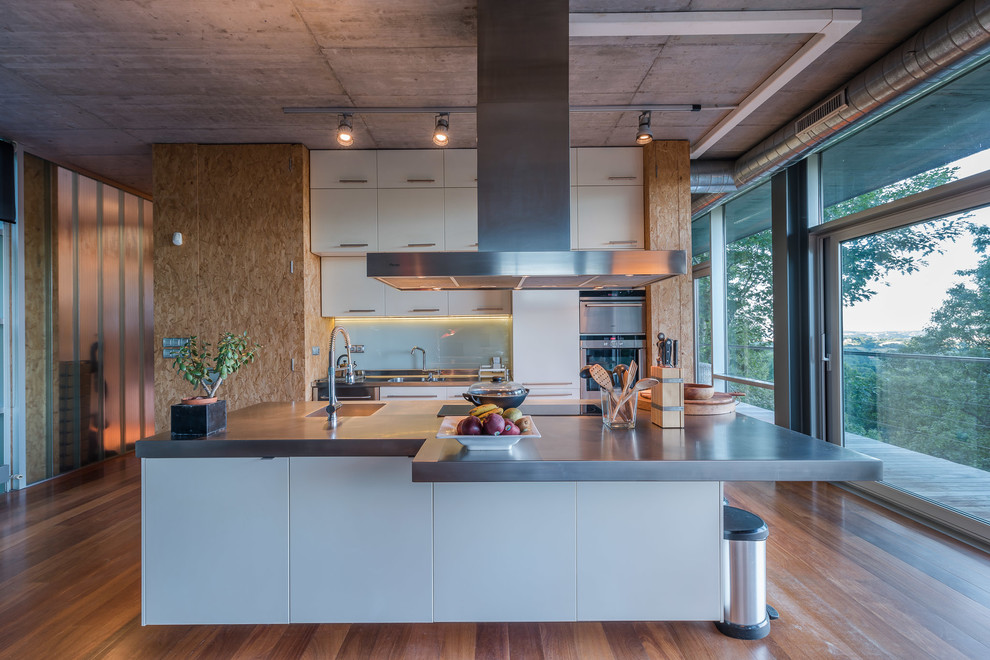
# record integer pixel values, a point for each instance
(545, 342)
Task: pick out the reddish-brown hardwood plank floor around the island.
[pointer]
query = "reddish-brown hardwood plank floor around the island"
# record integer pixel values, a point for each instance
(850, 580)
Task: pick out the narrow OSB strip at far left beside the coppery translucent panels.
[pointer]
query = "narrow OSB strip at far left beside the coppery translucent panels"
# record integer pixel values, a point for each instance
(37, 304)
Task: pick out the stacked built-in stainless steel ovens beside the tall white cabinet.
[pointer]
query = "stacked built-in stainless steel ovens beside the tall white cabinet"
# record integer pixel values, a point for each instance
(613, 332)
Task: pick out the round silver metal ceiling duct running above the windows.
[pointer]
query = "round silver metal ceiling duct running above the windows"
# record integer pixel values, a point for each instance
(950, 44)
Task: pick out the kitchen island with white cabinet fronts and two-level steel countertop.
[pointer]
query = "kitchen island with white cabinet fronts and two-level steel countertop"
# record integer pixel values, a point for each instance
(283, 519)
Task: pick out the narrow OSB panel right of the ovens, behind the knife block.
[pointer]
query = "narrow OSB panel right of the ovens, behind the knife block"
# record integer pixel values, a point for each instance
(667, 191)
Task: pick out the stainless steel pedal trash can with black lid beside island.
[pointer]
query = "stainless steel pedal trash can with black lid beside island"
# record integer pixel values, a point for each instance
(745, 614)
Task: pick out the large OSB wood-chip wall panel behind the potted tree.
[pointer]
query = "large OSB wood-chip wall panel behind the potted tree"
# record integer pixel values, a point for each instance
(242, 212)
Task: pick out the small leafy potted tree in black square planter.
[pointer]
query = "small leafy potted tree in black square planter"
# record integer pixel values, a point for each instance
(197, 416)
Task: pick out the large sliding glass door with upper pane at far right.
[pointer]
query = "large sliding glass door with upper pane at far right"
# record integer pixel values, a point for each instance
(906, 204)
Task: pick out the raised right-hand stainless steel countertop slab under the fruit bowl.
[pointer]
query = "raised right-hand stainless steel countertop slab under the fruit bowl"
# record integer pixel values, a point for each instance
(730, 447)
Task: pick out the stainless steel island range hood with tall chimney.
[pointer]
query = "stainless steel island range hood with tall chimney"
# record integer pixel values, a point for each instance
(524, 173)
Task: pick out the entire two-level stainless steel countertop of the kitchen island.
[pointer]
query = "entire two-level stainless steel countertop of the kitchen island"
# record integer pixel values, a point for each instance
(730, 447)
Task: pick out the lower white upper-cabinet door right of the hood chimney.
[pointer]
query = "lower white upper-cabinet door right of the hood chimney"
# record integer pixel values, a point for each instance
(610, 217)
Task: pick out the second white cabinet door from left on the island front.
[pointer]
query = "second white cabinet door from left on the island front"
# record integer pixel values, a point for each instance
(361, 541)
